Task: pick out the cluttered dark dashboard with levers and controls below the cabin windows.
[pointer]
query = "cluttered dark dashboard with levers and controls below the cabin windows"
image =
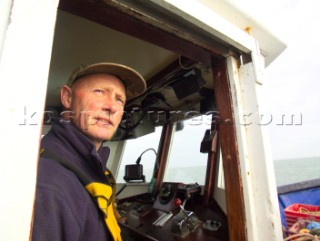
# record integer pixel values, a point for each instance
(177, 212)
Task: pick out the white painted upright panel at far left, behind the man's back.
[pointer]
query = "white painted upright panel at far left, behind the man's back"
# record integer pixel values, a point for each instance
(24, 67)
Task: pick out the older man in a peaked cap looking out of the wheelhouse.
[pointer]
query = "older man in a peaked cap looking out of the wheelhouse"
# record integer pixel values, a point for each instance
(73, 193)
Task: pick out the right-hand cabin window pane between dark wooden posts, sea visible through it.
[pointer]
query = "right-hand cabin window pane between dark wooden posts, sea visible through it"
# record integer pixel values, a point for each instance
(186, 163)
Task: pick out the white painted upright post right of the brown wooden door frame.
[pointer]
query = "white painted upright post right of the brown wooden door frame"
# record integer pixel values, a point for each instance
(256, 163)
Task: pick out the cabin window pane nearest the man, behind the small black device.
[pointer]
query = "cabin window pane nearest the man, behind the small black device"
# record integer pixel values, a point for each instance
(134, 148)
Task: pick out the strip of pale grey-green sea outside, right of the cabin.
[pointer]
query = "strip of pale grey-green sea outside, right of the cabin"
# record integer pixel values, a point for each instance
(288, 171)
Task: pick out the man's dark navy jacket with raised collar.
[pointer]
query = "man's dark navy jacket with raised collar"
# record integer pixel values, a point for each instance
(64, 210)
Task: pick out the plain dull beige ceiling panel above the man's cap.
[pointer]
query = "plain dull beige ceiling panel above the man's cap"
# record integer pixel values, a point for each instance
(79, 41)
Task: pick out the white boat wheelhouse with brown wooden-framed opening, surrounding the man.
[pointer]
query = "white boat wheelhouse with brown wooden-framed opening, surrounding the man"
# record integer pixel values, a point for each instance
(190, 158)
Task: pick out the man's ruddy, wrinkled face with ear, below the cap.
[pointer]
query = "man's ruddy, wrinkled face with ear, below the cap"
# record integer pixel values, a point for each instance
(96, 104)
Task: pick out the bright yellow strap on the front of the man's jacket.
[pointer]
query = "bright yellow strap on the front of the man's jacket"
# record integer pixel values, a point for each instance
(103, 194)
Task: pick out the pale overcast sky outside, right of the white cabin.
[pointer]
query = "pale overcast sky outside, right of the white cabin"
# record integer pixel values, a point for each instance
(292, 80)
